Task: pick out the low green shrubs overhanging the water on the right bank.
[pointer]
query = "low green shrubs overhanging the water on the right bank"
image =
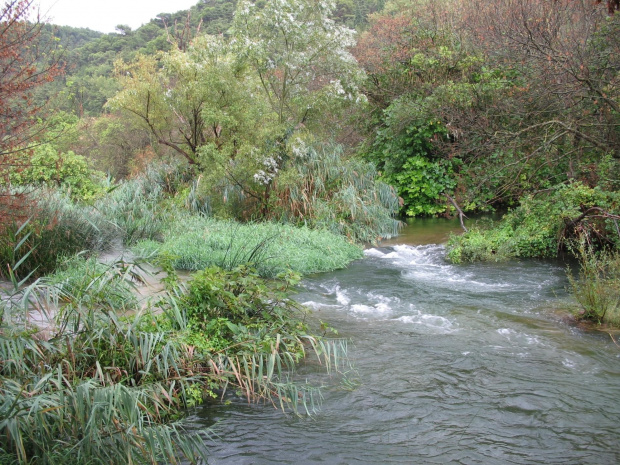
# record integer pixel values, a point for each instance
(540, 225)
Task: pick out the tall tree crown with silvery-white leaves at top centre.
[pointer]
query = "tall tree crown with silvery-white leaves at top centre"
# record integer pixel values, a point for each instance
(300, 56)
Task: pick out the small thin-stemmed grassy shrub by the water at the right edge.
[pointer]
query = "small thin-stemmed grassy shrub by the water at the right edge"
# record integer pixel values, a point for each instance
(597, 285)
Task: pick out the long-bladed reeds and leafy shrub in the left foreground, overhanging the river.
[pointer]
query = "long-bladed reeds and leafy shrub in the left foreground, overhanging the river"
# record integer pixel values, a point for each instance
(94, 387)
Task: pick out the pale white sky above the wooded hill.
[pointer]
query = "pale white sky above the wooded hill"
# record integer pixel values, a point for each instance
(105, 15)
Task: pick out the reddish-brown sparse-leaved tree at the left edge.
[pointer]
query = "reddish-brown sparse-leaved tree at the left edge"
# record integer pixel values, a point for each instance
(27, 61)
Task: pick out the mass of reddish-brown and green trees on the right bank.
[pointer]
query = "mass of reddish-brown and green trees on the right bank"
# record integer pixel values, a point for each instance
(522, 95)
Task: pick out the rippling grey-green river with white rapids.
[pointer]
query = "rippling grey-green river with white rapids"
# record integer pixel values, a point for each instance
(468, 364)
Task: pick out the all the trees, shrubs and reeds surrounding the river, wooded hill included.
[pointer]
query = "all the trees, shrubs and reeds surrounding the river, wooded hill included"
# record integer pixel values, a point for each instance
(235, 147)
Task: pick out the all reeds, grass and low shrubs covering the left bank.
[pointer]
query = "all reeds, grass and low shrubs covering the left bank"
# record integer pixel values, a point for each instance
(89, 371)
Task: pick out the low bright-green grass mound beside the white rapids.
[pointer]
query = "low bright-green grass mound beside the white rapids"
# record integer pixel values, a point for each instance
(195, 243)
